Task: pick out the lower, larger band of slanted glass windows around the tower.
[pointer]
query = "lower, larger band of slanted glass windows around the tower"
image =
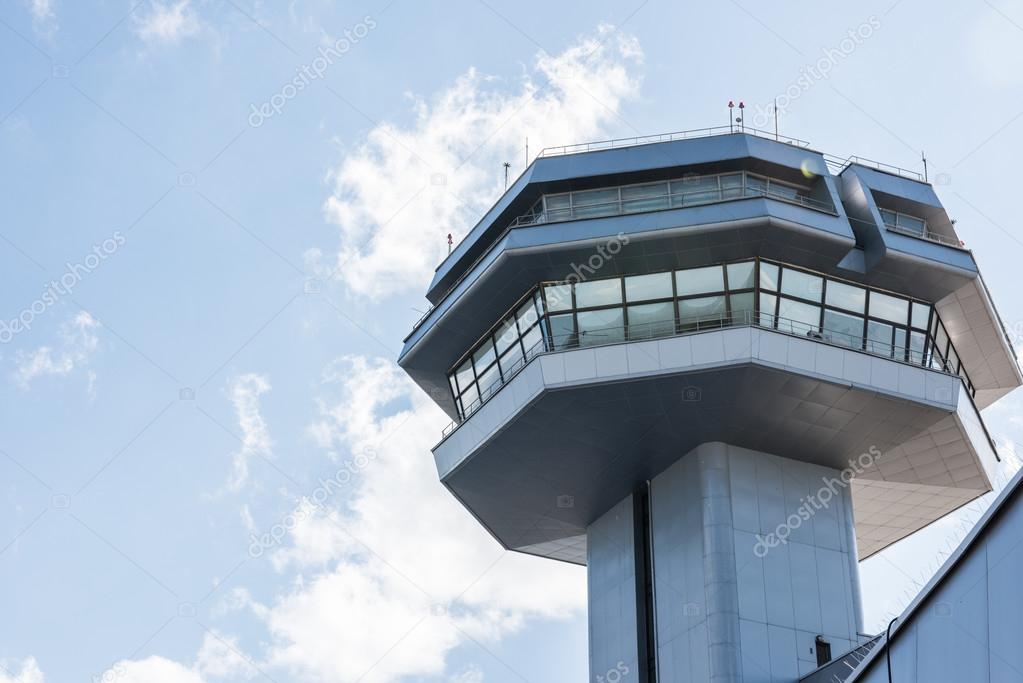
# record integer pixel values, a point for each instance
(558, 316)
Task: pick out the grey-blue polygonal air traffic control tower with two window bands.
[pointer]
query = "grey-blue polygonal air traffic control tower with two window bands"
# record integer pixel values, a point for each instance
(719, 370)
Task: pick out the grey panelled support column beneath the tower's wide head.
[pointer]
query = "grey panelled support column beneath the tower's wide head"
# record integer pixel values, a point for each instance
(752, 559)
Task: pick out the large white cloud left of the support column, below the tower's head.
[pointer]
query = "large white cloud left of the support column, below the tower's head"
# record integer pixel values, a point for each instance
(398, 574)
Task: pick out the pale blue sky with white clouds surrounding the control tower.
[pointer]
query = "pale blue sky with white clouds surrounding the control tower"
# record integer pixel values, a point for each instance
(239, 261)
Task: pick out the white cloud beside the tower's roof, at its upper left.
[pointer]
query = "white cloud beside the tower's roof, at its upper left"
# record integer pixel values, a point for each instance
(397, 197)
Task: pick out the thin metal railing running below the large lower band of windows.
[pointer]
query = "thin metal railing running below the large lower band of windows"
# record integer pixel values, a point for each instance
(693, 326)
